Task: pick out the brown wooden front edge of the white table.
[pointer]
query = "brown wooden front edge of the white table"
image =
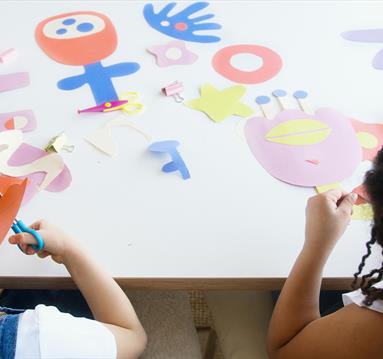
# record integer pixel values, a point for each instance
(339, 283)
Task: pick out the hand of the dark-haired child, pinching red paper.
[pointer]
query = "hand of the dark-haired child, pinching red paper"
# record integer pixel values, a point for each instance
(327, 217)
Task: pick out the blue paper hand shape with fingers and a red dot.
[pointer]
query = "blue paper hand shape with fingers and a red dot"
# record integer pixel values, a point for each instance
(180, 25)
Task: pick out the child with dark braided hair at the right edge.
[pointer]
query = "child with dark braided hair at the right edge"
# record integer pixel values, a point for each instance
(297, 331)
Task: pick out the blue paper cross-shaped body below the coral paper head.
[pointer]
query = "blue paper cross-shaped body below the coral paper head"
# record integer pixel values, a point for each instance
(99, 80)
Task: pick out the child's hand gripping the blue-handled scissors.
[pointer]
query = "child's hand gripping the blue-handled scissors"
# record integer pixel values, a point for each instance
(57, 243)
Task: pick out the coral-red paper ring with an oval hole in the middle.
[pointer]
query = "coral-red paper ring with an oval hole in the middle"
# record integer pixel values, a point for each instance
(272, 64)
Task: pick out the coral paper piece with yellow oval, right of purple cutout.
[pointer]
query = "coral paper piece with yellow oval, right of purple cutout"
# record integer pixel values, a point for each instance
(370, 136)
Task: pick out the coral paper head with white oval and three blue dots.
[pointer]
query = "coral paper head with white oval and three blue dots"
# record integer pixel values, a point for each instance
(77, 38)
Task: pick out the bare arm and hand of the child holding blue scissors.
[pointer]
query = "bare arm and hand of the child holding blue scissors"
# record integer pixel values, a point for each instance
(105, 298)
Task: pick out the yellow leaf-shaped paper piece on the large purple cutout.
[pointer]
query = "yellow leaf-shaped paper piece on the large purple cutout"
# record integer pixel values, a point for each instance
(299, 132)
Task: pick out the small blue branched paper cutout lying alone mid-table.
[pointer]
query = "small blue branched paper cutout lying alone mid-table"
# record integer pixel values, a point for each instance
(177, 163)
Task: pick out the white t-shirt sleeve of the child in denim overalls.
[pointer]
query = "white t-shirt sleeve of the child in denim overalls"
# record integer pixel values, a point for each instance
(45, 333)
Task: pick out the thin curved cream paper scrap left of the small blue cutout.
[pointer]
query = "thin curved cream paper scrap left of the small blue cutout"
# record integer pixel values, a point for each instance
(102, 137)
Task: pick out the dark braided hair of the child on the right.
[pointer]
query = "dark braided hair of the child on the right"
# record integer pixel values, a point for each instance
(373, 183)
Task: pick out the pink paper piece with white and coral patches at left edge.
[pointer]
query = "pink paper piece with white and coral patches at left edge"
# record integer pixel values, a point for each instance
(24, 121)
